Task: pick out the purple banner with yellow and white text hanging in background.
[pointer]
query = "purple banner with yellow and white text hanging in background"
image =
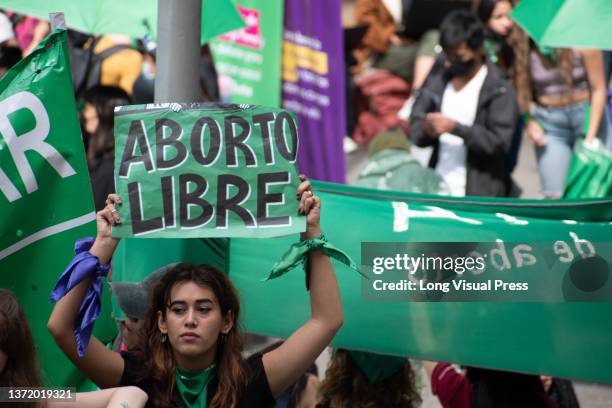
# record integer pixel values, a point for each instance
(313, 85)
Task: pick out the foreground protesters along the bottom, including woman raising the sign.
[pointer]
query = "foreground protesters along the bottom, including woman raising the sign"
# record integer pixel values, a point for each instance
(181, 344)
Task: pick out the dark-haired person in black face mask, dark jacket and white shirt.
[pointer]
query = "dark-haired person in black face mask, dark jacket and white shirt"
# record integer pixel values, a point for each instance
(467, 111)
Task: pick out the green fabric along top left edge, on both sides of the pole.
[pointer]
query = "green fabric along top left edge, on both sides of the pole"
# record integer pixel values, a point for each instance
(134, 18)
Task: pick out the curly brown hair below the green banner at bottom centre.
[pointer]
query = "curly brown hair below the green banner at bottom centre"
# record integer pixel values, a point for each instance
(345, 386)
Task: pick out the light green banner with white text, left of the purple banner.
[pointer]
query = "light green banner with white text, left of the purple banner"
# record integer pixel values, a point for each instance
(248, 60)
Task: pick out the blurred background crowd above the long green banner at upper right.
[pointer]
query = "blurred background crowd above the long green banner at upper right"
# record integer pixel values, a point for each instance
(477, 84)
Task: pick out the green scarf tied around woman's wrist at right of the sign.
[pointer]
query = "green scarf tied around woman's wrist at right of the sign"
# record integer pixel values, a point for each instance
(298, 254)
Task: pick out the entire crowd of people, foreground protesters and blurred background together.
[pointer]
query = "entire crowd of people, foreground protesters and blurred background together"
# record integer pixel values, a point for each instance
(470, 86)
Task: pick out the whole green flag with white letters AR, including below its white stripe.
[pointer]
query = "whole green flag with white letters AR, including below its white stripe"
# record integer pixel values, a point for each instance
(45, 195)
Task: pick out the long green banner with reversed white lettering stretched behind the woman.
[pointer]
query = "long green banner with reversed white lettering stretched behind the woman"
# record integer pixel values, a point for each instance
(507, 335)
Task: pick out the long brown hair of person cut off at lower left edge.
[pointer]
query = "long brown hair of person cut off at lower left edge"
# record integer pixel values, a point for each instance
(21, 369)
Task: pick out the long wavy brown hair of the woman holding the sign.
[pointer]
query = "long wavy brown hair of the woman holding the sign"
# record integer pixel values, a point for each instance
(160, 365)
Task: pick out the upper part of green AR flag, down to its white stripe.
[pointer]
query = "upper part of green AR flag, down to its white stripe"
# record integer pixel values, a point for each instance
(43, 174)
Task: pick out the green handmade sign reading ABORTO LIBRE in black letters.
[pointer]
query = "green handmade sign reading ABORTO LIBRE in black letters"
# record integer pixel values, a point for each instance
(206, 170)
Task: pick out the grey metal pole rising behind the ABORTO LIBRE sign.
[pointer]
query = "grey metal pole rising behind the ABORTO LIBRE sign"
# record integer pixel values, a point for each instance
(178, 51)
